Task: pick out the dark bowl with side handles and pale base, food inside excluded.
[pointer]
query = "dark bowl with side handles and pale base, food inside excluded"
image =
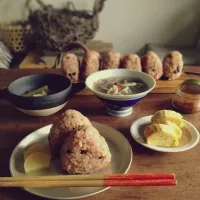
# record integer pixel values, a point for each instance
(41, 105)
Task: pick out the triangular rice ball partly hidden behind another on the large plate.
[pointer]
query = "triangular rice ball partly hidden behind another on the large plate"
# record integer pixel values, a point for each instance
(69, 122)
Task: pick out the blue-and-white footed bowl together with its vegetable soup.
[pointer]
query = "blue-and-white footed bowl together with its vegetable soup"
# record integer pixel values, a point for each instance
(120, 89)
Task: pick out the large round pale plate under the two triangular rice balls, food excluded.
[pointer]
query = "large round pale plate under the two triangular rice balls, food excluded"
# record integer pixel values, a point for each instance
(121, 160)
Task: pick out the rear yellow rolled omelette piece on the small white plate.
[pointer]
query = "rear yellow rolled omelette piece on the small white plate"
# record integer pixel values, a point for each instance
(169, 115)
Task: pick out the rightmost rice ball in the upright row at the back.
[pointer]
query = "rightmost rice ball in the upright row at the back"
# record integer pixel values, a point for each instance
(173, 65)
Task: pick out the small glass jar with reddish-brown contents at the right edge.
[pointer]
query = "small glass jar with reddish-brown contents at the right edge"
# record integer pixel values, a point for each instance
(187, 97)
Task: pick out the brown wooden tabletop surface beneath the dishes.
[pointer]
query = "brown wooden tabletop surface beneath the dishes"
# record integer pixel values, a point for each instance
(15, 125)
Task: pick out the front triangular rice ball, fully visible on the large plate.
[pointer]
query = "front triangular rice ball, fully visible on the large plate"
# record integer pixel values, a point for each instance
(85, 151)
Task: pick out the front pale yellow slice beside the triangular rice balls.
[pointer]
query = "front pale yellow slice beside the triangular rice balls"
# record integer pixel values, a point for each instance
(36, 161)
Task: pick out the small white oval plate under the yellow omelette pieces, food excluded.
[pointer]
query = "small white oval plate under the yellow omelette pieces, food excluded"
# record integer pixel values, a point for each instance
(189, 139)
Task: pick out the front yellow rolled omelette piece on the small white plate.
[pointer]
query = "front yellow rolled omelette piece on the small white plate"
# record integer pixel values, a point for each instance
(161, 135)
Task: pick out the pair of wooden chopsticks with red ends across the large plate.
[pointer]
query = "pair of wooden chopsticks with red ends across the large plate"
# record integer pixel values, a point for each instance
(96, 180)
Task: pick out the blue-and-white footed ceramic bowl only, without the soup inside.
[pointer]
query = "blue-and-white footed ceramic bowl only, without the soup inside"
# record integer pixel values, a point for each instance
(120, 105)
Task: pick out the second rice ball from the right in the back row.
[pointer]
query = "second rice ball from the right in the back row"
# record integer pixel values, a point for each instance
(152, 65)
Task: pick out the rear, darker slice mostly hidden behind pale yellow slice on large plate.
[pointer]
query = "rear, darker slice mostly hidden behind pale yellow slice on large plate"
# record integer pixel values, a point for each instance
(36, 148)
